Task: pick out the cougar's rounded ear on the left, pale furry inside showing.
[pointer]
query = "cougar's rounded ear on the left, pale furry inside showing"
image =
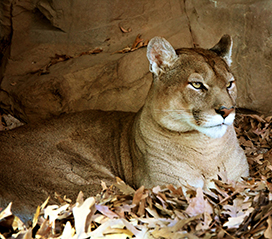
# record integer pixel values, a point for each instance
(160, 54)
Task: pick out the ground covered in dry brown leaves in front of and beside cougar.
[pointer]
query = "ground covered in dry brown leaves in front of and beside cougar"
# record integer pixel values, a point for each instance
(230, 210)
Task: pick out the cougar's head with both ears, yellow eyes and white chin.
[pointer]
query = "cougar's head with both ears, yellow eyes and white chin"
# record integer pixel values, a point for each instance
(193, 89)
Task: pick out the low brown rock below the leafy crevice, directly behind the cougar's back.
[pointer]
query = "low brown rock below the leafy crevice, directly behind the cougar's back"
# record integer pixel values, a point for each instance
(88, 82)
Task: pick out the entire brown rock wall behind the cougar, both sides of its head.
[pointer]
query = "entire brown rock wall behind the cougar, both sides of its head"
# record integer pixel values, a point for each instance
(33, 32)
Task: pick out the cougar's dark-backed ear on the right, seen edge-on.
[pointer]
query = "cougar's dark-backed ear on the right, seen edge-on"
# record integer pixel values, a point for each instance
(224, 48)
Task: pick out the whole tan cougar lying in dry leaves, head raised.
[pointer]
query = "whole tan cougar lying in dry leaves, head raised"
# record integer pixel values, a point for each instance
(183, 135)
